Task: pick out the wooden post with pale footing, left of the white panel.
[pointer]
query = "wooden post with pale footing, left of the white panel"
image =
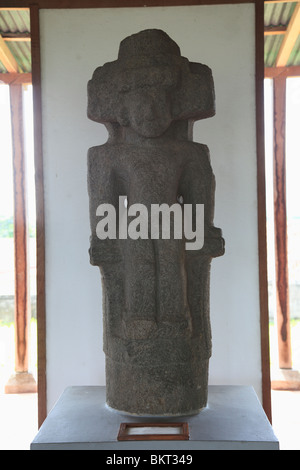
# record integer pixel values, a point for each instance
(22, 381)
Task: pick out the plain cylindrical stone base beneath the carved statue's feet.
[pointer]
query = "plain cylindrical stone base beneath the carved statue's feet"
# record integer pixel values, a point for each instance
(166, 390)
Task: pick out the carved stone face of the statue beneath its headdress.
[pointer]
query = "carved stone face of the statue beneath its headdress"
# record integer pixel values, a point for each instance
(146, 100)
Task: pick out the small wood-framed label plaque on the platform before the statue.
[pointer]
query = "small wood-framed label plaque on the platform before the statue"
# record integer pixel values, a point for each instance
(153, 432)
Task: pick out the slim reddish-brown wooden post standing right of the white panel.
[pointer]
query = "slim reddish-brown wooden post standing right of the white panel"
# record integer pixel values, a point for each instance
(280, 223)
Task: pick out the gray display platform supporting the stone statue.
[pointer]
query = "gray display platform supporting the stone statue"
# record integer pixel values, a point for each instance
(233, 420)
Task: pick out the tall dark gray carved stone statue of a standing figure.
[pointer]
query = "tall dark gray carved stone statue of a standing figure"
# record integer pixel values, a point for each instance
(157, 337)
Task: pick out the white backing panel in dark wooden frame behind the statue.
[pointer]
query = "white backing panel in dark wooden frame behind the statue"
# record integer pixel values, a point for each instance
(73, 44)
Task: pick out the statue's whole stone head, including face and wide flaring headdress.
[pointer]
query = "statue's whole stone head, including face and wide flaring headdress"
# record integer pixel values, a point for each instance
(149, 86)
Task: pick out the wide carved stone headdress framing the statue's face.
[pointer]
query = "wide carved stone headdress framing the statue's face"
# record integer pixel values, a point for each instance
(155, 60)
